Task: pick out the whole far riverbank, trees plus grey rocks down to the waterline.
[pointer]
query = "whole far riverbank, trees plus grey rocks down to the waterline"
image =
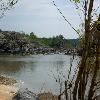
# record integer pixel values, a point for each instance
(19, 43)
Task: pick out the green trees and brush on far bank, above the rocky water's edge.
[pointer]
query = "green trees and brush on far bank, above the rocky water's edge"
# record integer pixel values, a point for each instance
(11, 41)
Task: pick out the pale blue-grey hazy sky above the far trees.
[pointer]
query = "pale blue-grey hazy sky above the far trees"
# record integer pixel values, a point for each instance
(42, 18)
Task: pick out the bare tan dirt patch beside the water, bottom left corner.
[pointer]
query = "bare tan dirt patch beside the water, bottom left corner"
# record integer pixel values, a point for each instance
(7, 90)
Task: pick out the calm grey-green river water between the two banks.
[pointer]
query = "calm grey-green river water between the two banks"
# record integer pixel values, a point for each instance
(37, 72)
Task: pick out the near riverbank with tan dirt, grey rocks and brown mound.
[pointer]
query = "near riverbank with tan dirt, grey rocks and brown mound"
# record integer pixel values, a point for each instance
(8, 91)
